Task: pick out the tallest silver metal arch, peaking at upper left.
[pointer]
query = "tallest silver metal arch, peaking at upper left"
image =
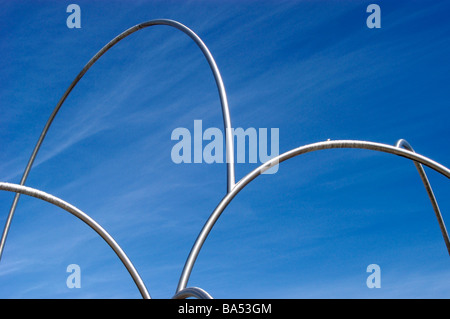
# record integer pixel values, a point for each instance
(223, 99)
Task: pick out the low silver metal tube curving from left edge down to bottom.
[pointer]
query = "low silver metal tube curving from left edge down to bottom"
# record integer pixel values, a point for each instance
(88, 220)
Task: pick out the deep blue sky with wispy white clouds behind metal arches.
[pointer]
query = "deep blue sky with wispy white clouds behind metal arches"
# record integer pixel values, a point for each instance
(312, 69)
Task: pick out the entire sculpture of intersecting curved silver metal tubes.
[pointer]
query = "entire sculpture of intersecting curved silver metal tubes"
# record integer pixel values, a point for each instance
(402, 148)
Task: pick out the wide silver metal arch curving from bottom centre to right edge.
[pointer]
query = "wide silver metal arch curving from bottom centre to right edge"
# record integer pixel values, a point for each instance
(281, 158)
